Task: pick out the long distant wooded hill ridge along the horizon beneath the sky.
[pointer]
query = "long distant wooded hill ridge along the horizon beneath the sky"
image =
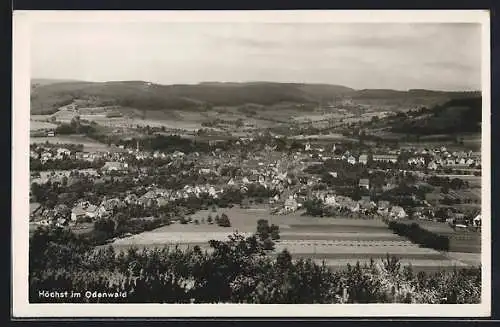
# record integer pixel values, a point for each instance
(49, 95)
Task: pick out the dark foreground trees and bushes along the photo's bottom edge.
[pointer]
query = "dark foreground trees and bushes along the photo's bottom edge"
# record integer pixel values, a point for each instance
(237, 270)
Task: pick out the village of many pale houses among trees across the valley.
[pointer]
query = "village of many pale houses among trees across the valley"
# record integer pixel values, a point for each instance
(285, 180)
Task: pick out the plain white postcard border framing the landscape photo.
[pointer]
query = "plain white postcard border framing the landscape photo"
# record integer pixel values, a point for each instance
(22, 22)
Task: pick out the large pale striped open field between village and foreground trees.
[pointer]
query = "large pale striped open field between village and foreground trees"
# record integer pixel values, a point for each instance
(337, 241)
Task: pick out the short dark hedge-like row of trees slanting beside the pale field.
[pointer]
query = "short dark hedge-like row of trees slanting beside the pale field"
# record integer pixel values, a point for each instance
(420, 236)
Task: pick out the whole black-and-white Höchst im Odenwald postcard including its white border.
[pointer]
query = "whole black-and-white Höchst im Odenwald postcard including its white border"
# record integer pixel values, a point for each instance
(204, 162)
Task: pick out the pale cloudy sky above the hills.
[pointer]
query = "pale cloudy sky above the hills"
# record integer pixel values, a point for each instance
(401, 56)
